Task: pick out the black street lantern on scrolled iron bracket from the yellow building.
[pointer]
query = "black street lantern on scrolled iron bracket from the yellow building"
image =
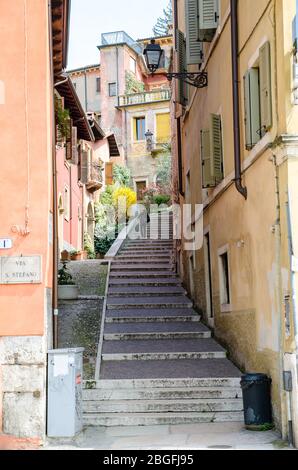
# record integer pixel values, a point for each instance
(153, 54)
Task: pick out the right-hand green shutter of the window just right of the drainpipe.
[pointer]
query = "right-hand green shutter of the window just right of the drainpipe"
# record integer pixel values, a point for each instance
(265, 87)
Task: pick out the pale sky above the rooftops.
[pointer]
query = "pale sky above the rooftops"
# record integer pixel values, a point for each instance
(91, 18)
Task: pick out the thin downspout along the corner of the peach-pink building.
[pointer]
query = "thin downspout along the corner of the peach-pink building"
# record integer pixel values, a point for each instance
(54, 183)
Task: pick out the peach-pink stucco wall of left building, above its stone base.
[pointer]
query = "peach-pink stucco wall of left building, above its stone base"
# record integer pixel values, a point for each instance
(25, 175)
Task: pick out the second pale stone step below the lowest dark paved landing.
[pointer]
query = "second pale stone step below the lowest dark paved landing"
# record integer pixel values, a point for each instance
(186, 393)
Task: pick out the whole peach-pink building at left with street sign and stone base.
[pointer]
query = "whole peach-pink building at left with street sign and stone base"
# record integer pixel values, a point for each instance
(28, 68)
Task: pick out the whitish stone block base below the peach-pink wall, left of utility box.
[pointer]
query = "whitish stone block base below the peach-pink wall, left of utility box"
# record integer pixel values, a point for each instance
(23, 378)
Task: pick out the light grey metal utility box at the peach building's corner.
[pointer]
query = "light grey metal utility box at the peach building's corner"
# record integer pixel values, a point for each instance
(65, 373)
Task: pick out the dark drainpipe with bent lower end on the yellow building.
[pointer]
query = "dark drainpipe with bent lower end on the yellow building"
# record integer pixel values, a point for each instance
(236, 115)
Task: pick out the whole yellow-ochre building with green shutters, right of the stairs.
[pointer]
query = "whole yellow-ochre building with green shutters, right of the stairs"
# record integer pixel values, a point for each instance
(236, 152)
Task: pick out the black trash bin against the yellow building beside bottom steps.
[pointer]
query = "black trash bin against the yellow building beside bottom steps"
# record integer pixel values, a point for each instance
(256, 401)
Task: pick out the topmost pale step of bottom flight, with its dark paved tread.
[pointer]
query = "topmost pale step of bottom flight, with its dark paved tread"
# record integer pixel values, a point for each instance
(220, 374)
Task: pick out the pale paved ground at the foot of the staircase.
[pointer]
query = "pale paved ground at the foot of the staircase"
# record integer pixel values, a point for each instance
(184, 437)
